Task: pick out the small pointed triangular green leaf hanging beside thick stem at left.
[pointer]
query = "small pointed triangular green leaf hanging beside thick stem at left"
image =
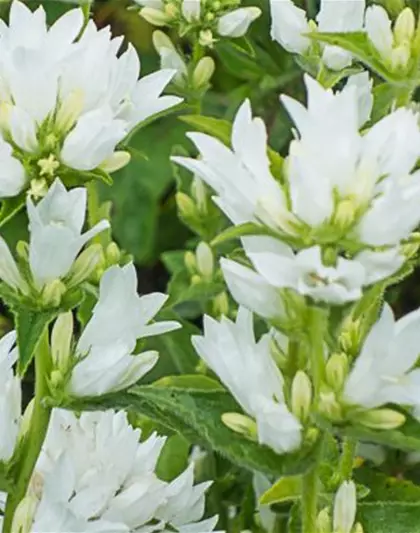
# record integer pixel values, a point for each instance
(29, 328)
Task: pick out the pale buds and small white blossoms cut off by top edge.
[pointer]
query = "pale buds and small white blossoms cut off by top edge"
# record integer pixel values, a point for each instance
(204, 18)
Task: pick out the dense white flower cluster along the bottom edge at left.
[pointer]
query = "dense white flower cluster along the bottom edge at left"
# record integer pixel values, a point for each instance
(94, 474)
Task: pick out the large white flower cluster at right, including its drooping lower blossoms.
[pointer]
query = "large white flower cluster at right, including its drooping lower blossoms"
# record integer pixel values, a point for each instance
(359, 198)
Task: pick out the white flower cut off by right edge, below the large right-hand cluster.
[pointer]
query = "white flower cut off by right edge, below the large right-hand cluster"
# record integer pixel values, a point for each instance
(385, 372)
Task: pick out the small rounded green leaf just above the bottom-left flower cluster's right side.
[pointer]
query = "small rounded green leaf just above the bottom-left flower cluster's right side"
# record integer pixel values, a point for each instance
(173, 459)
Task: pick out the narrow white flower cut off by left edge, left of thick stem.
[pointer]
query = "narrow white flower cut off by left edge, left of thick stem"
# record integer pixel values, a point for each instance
(10, 398)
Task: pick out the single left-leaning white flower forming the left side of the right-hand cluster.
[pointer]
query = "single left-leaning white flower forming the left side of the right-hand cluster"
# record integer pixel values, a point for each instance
(246, 190)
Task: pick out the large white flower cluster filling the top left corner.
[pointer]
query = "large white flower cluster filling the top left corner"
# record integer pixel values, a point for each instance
(66, 103)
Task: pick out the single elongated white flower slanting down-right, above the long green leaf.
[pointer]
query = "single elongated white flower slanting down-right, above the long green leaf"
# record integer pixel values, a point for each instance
(249, 372)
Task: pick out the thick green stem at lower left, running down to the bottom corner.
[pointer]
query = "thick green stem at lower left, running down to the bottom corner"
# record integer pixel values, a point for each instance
(36, 434)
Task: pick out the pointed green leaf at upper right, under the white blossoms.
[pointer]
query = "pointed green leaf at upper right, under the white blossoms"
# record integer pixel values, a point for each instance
(359, 45)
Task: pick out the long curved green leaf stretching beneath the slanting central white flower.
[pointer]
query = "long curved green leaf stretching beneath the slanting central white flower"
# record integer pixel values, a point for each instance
(197, 416)
